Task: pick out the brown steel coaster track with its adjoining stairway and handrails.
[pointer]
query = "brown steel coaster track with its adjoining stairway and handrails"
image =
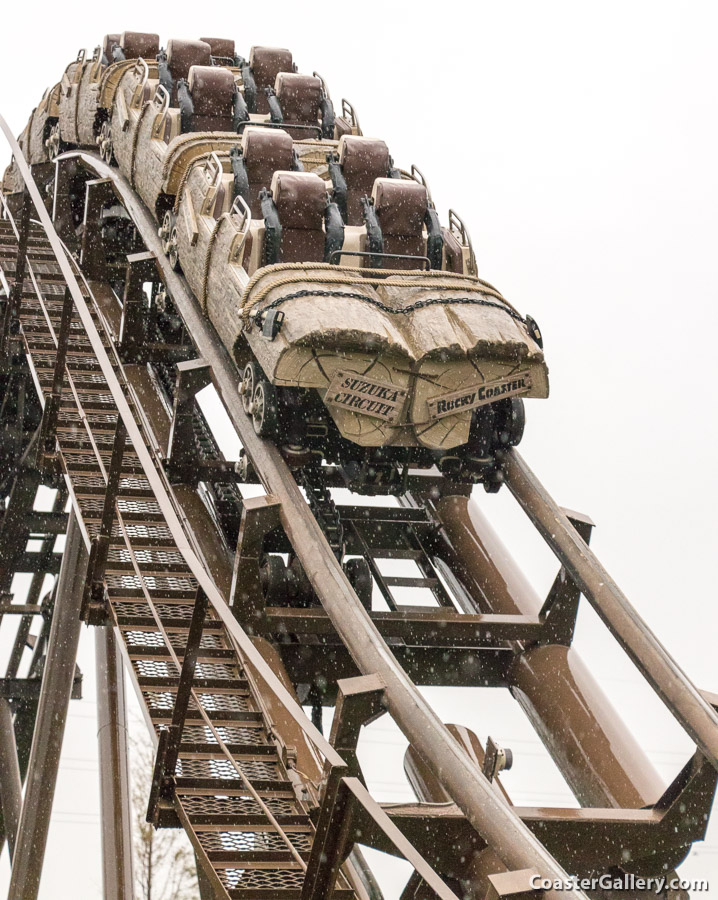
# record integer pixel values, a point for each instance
(219, 661)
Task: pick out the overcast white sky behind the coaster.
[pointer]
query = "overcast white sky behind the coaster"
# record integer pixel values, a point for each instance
(579, 143)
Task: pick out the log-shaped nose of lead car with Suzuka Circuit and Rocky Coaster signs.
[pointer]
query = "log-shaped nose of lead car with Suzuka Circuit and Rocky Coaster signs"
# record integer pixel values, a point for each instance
(398, 359)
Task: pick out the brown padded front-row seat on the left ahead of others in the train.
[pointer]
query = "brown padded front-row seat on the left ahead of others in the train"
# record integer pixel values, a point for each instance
(300, 199)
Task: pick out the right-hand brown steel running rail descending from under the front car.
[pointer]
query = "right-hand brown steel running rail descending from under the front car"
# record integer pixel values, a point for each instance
(654, 662)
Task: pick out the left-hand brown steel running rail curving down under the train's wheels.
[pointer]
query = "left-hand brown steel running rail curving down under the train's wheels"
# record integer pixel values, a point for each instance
(494, 821)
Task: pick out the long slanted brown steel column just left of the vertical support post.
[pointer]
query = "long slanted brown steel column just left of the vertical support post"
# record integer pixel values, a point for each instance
(49, 731)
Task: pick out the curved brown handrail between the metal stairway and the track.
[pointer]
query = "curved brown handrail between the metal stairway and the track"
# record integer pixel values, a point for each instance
(239, 637)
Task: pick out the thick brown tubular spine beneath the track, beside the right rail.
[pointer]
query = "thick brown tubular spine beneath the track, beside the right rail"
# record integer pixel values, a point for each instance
(598, 756)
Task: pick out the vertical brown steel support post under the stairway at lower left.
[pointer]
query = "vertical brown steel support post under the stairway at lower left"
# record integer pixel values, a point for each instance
(115, 808)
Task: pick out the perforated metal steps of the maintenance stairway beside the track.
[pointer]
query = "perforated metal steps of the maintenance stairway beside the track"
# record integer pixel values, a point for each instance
(151, 594)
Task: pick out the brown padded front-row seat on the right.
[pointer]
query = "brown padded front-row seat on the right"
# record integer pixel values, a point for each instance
(400, 208)
